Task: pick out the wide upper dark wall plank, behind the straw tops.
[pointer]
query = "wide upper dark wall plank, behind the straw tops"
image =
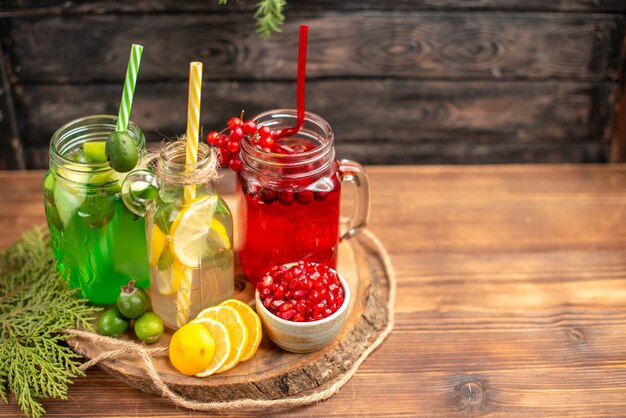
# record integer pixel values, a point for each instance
(440, 45)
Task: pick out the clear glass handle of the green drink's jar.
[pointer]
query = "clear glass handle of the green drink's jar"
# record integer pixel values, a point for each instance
(135, 191)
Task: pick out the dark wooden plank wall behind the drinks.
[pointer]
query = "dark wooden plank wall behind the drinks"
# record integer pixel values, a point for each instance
(422, 81)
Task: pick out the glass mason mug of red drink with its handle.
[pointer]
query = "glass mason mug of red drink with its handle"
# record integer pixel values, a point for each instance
(289, 203)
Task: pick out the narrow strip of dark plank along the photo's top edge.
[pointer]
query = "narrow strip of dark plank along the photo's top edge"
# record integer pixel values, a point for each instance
(33, 7)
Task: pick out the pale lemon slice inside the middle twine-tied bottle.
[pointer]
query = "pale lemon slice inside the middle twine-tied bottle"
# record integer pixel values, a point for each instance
(191, 229)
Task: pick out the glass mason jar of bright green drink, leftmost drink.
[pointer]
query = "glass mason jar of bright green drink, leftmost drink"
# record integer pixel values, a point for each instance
(97, 242)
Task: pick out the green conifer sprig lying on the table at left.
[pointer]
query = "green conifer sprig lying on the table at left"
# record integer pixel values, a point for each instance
(35, 305)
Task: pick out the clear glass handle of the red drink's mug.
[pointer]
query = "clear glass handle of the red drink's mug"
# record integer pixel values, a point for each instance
(352, 172)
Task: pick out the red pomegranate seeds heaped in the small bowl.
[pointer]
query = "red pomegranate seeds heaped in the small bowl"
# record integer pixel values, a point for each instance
(303, 293)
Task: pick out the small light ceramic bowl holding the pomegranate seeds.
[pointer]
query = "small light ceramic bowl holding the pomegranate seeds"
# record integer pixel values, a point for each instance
(304, 337)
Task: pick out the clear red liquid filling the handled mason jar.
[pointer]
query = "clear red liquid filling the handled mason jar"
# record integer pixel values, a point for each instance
(288, 221)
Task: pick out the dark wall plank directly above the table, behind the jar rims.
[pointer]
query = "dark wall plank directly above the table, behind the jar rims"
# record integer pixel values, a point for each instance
(406, 121)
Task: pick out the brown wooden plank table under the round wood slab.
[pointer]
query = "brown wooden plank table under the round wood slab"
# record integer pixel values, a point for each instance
(511, 296)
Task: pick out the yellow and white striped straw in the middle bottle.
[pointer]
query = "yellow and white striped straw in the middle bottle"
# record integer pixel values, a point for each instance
(183, 299)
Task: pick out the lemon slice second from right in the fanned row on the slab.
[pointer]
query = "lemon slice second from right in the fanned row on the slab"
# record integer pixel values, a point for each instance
(237, 332)
